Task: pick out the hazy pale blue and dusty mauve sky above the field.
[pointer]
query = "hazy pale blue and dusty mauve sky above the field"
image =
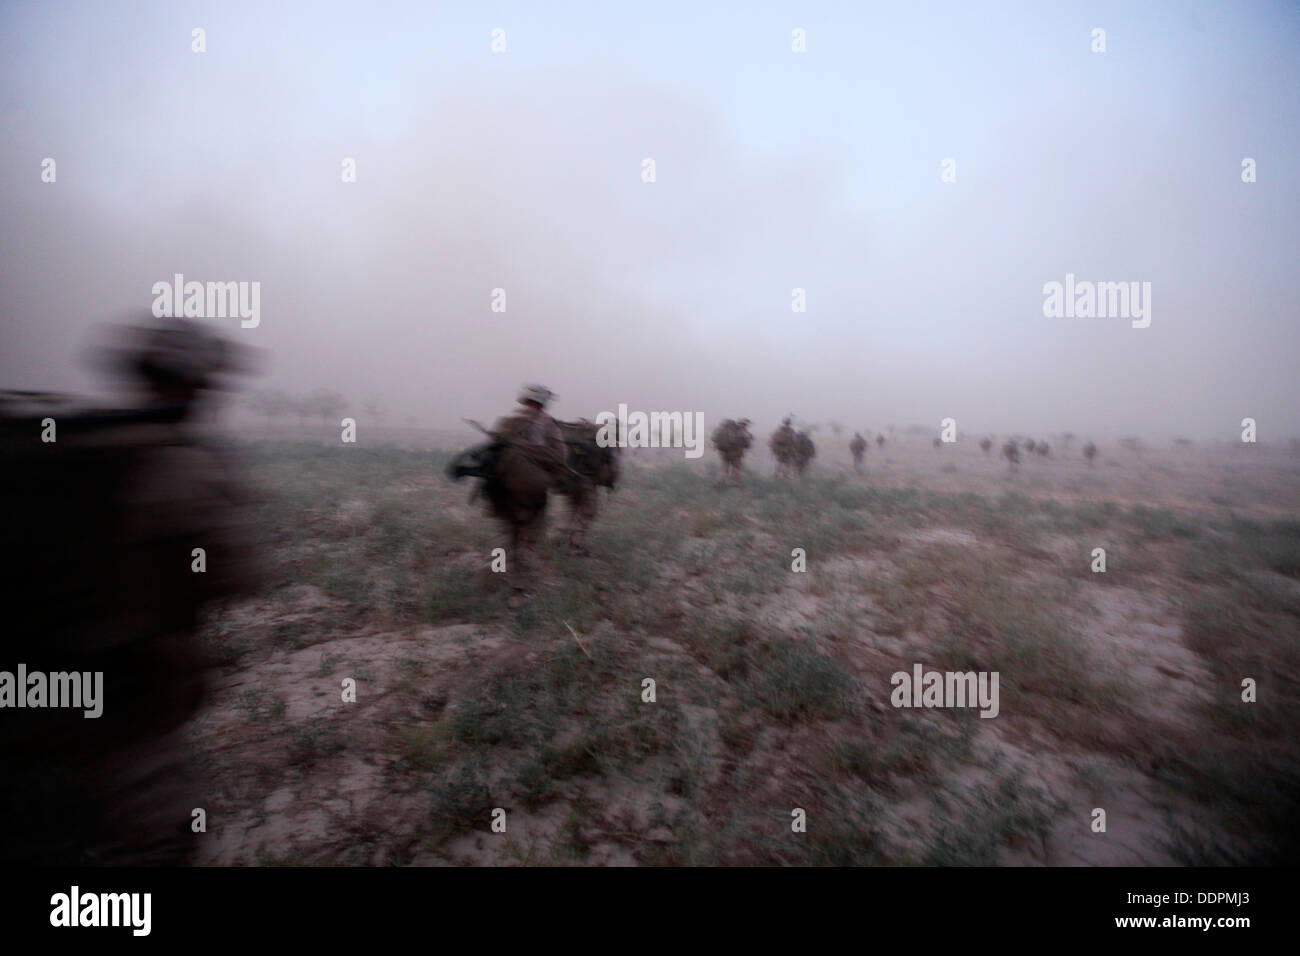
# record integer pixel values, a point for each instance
(775, 170)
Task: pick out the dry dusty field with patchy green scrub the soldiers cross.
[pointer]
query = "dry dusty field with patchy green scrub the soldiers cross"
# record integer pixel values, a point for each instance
(772, 687)
